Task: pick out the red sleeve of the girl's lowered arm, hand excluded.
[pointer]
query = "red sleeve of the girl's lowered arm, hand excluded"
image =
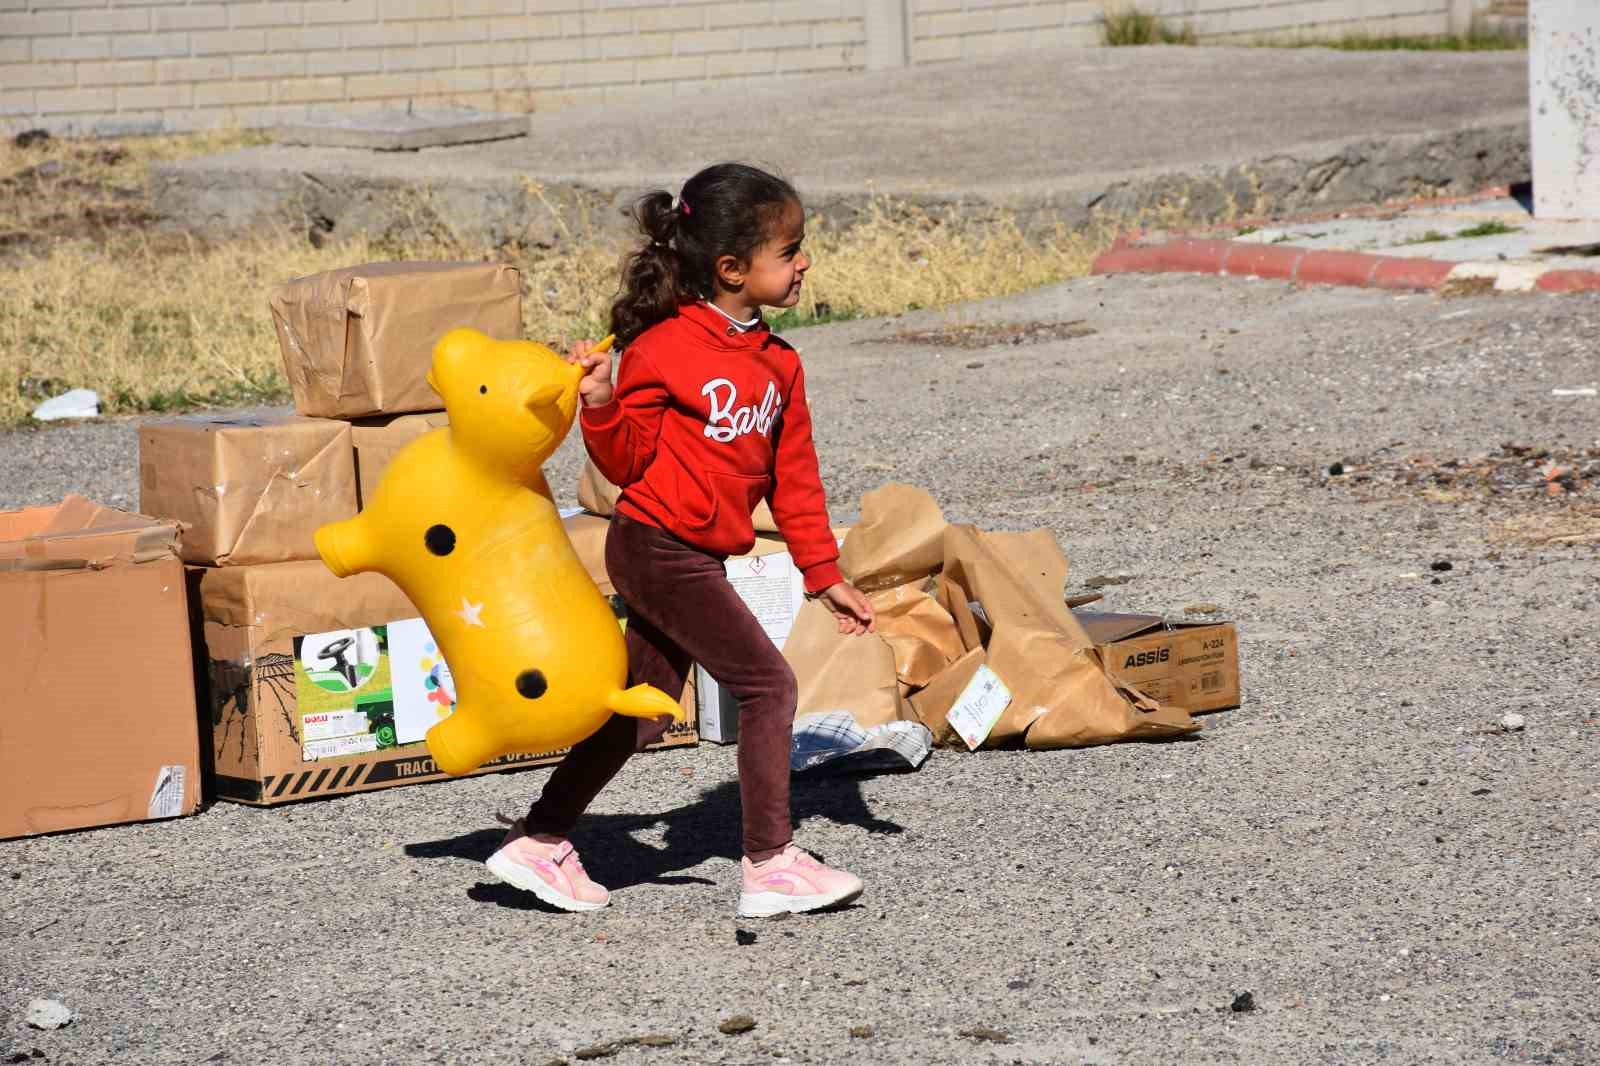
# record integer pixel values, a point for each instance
(798, 500)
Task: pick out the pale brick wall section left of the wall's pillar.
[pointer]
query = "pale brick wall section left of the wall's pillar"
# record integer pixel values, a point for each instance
(130, 65)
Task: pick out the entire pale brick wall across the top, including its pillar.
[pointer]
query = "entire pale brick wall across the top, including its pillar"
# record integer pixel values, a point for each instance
(116, 66)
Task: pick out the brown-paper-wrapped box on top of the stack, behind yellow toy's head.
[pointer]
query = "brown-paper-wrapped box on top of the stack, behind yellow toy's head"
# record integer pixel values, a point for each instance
(361, 342)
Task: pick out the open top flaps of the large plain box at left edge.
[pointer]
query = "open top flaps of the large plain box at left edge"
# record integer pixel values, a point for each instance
(79, 534)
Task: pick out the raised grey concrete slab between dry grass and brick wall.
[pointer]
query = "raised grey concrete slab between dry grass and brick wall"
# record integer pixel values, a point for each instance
(1052, 134)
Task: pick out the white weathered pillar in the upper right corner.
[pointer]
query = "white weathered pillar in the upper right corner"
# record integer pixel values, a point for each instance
(1564, 95)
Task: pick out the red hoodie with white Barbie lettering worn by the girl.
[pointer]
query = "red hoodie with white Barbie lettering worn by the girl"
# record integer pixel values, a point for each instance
(706, 422)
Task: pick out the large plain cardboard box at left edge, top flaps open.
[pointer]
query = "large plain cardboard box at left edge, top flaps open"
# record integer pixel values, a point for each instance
(100, 721)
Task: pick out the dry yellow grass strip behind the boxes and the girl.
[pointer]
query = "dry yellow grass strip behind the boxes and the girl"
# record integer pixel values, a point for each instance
(158, 321)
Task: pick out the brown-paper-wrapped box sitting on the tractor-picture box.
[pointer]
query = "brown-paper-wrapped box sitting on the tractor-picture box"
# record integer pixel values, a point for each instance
(247, 491)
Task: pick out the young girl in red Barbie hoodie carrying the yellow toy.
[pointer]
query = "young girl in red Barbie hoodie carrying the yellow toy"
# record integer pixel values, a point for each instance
(708, 419)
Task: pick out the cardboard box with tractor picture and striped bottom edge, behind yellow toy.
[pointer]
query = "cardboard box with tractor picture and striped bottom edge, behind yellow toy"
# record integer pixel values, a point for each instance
(321, 686)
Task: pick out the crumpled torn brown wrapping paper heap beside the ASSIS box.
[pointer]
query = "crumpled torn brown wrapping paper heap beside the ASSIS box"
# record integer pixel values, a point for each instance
(1062, 695)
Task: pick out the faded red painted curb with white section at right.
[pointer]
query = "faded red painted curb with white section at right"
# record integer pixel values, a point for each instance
(1314, 266)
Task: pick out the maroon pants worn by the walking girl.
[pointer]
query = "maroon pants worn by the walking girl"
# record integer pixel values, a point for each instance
(682, 611)
